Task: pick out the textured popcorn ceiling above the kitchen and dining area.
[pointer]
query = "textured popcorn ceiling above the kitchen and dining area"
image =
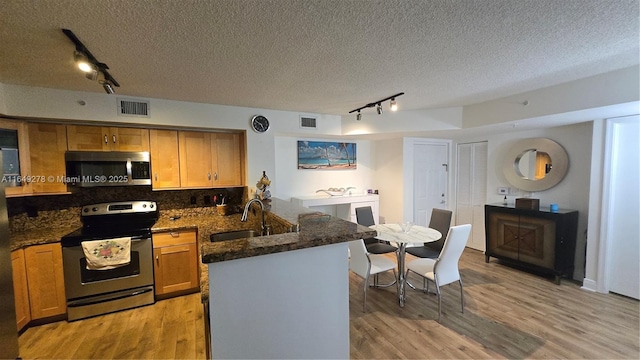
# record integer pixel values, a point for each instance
(324, 56)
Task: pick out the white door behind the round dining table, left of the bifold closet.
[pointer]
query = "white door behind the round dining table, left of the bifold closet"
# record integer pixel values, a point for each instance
(430, 165)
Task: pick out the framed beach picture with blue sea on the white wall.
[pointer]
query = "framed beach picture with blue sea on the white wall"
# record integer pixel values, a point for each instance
(326, 155)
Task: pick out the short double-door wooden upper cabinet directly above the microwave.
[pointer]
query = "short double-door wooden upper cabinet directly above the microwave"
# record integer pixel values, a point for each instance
(98, 138)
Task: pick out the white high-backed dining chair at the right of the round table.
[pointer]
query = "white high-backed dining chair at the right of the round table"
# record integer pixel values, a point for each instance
(443, 270)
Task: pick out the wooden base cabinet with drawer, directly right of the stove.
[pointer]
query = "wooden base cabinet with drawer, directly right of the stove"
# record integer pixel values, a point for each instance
(176, 264)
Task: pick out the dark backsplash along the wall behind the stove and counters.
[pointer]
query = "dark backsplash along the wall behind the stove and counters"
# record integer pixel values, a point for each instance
(31, 212)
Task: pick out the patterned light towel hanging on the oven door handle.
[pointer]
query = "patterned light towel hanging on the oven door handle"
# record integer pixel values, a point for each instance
(107, 254)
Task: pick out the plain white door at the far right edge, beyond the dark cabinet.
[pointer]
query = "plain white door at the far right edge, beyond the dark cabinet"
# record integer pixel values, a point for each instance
(624, 208)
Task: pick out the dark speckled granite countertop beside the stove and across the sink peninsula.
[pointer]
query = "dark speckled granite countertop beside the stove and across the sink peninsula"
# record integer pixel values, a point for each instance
(316, 229)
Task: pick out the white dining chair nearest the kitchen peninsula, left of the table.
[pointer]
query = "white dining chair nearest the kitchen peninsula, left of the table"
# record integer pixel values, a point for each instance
(365, 265)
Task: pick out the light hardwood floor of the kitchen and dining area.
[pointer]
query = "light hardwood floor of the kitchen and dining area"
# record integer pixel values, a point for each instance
(508, 314)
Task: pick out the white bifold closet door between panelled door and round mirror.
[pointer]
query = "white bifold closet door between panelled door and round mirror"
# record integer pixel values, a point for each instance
(471, 190)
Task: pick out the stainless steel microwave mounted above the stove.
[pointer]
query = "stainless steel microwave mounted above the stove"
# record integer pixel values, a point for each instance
(112, 168)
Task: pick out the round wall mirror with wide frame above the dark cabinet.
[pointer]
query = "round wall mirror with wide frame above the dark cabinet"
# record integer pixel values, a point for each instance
(535, 164)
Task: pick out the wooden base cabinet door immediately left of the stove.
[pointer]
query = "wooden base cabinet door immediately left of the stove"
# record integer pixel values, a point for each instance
(45, 280)
